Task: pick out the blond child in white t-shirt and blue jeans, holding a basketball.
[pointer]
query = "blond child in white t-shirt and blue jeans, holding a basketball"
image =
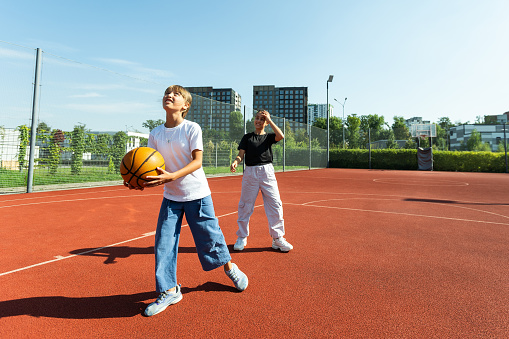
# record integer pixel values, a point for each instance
(186, 191)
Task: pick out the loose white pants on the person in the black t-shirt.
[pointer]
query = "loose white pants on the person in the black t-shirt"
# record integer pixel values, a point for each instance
(254, 179)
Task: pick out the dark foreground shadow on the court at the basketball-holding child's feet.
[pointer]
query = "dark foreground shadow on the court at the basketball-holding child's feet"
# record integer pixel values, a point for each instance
(115, 306)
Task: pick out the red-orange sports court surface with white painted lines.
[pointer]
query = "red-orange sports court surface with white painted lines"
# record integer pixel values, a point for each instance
(377, 254)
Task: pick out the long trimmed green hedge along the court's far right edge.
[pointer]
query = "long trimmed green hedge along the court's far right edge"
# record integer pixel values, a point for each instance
(406, 159)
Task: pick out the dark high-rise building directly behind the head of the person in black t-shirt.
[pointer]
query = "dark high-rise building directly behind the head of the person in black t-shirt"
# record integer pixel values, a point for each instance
(285, 102)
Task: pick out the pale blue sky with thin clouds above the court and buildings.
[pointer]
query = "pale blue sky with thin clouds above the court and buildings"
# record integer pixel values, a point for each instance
(404, 58)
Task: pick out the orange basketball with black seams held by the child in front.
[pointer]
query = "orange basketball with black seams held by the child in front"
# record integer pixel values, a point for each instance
(139, 163)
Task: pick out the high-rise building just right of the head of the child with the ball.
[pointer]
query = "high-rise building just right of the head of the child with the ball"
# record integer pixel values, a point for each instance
(211, 107)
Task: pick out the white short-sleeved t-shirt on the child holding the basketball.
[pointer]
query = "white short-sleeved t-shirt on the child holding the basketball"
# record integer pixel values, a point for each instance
(176, 145)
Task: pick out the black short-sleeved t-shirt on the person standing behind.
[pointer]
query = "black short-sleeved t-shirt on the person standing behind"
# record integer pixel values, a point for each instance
(258, 148)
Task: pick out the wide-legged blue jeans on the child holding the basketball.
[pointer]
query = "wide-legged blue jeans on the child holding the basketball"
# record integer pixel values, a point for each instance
(208, 238)
